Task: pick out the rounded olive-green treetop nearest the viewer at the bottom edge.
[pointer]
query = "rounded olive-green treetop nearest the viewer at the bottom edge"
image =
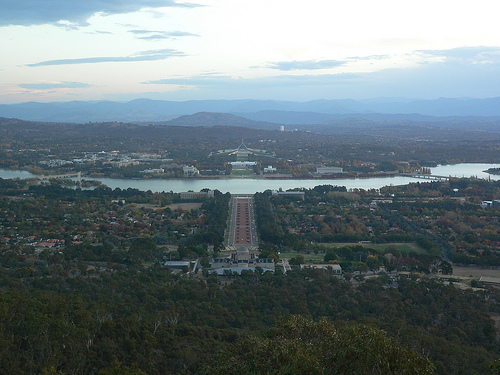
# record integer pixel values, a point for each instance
(303, 346)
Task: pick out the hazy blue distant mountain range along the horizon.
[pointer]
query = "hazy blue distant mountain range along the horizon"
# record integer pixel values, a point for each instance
(266, 111)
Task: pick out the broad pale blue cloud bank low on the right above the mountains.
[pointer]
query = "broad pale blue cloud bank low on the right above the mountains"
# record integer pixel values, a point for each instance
(460, 74)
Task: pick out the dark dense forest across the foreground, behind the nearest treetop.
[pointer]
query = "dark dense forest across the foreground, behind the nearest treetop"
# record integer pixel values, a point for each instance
(150, 321)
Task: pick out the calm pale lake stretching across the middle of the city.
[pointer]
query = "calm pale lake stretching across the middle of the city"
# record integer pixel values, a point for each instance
(250, 186)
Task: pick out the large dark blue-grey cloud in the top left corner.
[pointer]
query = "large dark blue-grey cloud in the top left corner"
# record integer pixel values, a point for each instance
(38, 12)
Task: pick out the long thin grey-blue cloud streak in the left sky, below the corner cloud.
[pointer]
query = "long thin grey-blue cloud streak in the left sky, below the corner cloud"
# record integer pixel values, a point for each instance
(152, 55)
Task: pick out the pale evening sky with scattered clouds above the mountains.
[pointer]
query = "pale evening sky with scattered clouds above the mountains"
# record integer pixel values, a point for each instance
(120, 50)
